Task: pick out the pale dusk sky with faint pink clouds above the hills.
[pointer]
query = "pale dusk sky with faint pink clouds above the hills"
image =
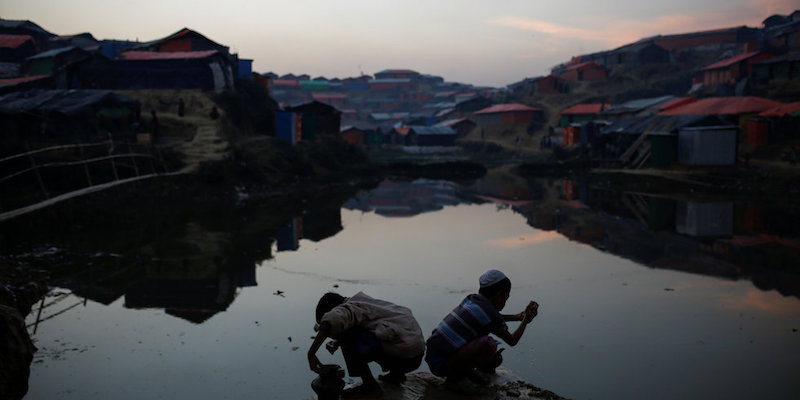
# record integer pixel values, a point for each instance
(479, 42)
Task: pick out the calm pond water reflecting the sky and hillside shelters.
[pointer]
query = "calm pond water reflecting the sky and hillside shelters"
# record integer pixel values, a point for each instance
(220, 304)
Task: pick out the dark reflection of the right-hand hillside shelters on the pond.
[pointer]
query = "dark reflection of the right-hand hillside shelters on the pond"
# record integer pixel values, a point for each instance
(714, 236)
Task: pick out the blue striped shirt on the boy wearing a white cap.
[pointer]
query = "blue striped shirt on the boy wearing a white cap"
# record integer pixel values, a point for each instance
(473, 318)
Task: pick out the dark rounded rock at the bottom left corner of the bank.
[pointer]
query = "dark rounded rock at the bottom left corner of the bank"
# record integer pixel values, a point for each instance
(16, 351)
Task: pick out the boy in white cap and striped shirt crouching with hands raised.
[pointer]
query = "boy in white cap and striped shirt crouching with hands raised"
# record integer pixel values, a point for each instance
(460, 344)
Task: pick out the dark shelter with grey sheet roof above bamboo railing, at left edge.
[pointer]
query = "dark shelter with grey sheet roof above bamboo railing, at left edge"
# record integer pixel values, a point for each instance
(64, 116)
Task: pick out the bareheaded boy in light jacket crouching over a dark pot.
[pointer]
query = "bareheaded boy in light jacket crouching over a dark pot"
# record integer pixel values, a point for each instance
(367, 330)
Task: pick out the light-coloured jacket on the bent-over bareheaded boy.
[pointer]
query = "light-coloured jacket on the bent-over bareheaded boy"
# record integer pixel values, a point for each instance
(393, 325)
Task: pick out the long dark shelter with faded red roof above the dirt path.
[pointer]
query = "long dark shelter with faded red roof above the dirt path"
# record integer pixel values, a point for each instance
(207, 70)
